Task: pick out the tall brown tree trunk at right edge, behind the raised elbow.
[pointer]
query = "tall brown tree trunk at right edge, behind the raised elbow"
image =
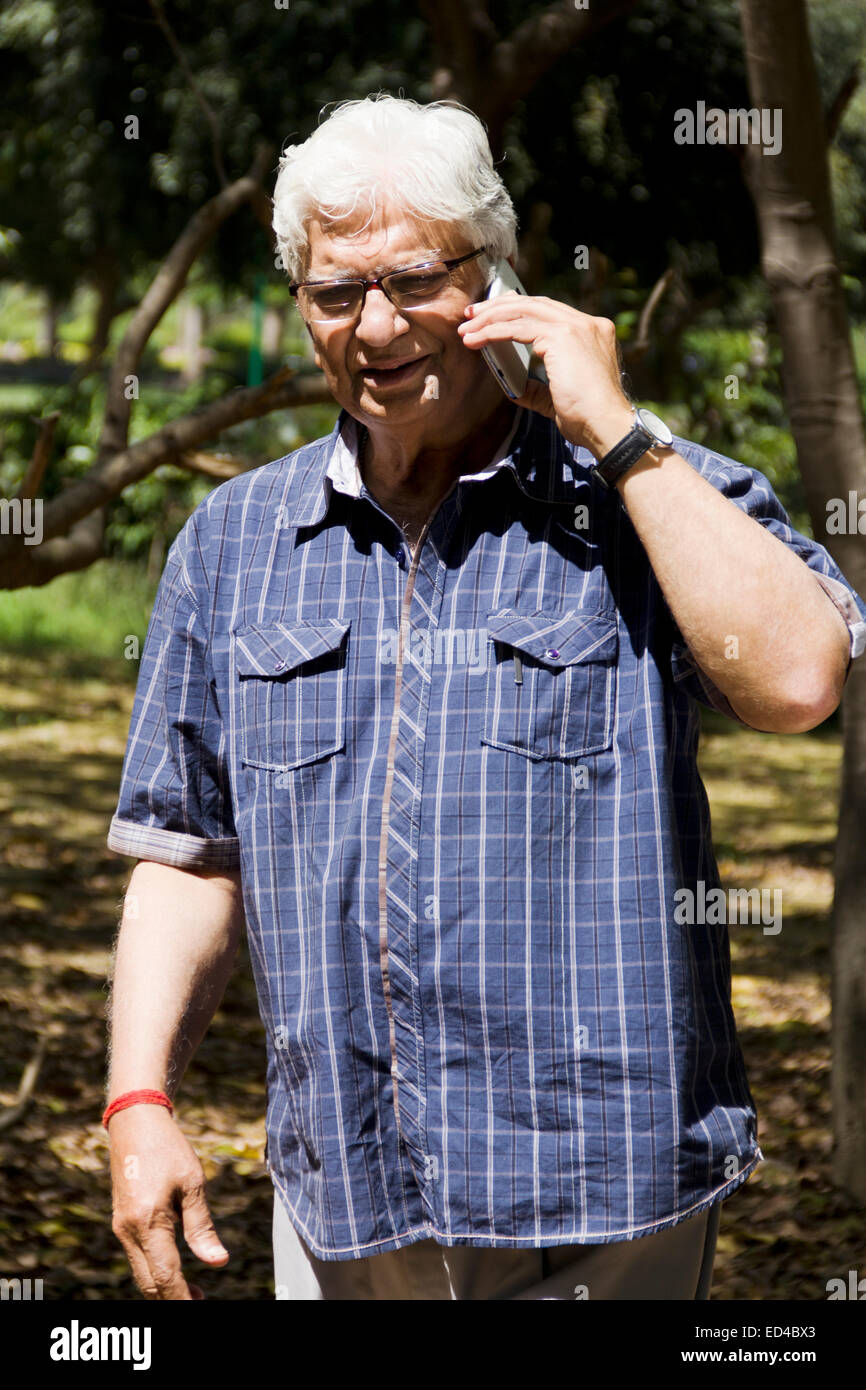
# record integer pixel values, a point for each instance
(792, 194)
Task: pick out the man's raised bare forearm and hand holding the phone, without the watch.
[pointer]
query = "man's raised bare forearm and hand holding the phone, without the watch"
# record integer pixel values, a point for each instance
(751, 612)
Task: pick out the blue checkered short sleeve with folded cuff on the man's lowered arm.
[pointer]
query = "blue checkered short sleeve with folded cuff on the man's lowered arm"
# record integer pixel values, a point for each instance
(174, 803)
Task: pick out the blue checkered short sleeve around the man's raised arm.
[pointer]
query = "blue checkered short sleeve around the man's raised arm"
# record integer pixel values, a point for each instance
(751, 491)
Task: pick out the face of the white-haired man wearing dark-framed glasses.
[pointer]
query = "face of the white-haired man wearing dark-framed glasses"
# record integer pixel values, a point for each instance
(379, 366)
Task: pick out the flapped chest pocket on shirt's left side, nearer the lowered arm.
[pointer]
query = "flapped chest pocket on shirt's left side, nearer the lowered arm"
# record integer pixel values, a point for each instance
(293, 693)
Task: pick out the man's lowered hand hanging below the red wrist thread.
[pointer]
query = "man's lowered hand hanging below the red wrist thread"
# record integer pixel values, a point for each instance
(156, 1178)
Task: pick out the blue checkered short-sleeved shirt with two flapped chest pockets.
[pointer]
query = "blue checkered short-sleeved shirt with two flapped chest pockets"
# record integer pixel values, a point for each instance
(462, 792)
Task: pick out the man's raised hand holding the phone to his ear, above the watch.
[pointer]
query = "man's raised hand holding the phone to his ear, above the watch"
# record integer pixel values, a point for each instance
(585, 393)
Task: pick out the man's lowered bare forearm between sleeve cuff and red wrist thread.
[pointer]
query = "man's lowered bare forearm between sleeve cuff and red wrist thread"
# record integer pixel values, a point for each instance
(176, 950)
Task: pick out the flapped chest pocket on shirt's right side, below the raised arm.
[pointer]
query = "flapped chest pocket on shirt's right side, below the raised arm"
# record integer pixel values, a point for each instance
(551, 683)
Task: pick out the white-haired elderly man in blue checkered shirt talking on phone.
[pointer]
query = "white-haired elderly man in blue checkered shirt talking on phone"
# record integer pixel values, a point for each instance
(420, 703)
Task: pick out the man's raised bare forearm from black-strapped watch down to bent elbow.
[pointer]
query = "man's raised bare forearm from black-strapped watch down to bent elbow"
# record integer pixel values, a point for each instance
(751, 612)
